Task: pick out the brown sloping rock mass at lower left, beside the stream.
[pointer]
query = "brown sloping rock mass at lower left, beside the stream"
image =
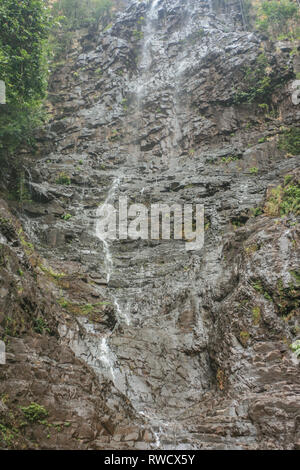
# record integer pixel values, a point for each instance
(40, 369)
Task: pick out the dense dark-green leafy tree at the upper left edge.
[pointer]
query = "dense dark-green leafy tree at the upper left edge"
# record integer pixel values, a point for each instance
(24, 28)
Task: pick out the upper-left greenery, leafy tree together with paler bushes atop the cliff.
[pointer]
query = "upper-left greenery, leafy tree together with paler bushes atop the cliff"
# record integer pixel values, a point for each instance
(25, 28)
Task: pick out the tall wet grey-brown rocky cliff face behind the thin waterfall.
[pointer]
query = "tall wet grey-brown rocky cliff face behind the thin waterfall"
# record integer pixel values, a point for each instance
(142, 344)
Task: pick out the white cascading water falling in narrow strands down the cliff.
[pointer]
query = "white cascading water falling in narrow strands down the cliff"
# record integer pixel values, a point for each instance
(165, 432)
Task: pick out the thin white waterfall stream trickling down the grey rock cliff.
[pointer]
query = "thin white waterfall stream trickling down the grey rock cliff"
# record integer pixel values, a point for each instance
(159, 427)
